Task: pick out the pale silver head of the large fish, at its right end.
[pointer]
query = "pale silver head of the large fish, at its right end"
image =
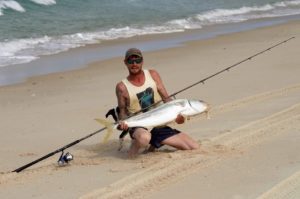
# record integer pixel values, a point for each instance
(194, 107)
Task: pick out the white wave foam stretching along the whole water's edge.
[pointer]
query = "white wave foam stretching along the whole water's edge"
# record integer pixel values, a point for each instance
(25, 50)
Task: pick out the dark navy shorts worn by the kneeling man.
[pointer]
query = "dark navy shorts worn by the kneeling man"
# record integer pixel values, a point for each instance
(158, 134)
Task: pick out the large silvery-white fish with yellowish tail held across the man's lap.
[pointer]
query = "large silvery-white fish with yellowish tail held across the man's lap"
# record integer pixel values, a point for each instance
(165, 113)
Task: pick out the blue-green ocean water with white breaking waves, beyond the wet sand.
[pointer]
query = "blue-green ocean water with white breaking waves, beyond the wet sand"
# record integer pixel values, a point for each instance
(32, 28)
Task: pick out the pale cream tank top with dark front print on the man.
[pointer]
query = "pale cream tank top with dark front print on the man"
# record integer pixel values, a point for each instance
(141, 97)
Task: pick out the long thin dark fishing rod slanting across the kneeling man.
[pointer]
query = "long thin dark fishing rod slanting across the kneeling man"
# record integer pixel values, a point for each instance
(142, 110)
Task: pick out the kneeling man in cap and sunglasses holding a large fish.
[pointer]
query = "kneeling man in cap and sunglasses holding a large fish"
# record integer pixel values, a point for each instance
(139, 90)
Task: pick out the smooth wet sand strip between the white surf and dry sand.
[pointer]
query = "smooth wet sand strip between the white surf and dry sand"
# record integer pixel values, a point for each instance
(81, 57)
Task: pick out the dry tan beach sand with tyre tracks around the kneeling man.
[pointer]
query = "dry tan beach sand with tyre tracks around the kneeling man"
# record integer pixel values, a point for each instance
(249, 146)
